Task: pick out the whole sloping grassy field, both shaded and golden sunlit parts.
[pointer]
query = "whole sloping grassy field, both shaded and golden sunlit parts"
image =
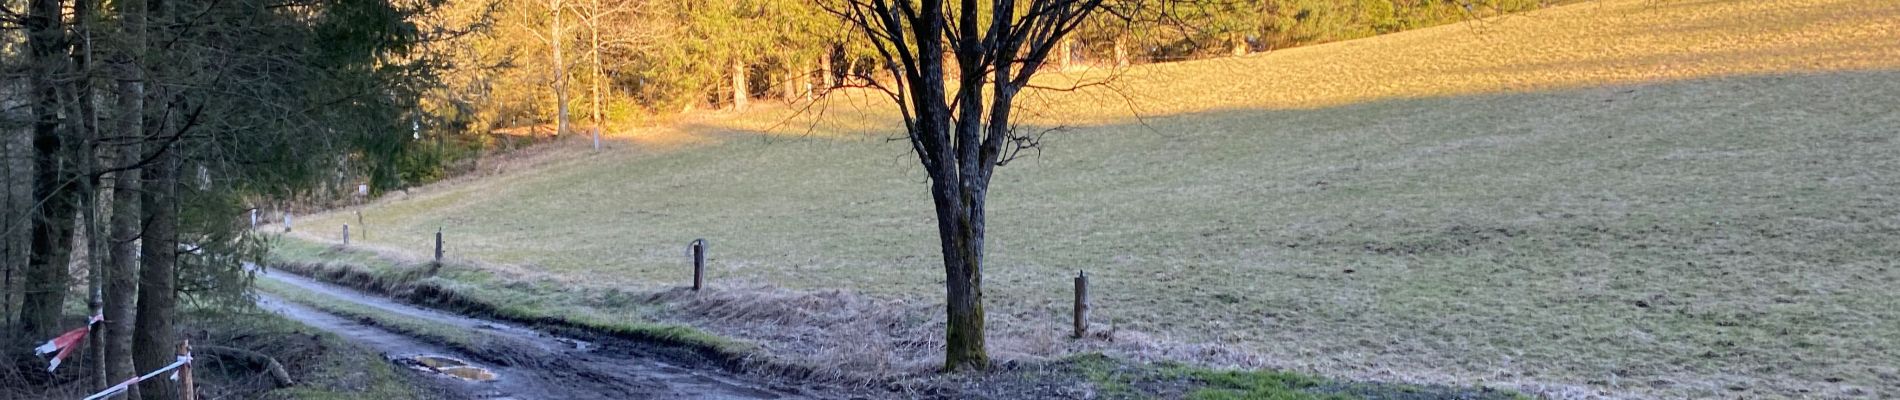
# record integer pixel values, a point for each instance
(1629, 198)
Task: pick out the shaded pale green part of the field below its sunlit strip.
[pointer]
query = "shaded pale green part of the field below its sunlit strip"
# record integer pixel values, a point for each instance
(1434, 236)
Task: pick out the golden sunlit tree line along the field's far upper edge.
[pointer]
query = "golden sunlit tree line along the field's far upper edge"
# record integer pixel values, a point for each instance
(571, 64)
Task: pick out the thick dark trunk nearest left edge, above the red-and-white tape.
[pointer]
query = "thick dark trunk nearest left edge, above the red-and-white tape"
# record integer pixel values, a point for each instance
(52, 227)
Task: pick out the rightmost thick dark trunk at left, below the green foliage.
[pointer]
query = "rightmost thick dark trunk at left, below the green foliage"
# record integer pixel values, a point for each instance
(153, 335)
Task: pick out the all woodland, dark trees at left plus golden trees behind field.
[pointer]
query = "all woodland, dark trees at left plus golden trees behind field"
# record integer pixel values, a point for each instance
(140, 134)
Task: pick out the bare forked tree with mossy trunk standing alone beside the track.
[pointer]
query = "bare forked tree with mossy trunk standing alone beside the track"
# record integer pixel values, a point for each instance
(962, 134)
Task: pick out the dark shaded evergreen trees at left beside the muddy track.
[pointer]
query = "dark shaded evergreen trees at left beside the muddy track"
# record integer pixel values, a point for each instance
(138, 134)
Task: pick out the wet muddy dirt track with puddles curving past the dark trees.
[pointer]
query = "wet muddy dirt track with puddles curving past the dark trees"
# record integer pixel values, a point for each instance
(527, 363)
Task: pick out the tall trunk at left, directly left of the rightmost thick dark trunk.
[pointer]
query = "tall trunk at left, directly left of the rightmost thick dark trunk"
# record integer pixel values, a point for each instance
(123, 268)
